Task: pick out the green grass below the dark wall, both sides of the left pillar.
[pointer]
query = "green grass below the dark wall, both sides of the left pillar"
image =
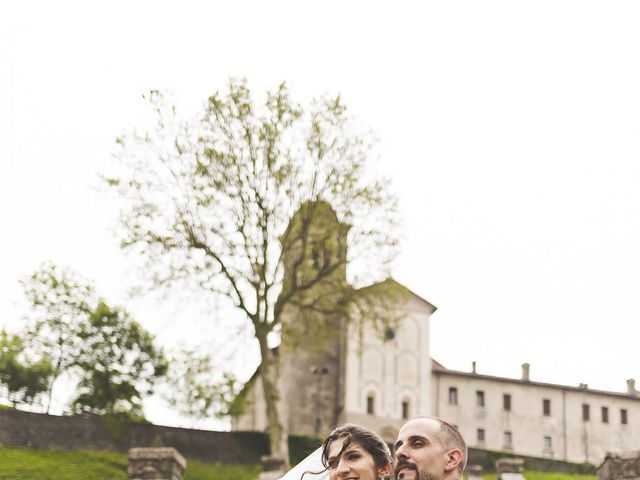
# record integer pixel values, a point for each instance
(26, 464)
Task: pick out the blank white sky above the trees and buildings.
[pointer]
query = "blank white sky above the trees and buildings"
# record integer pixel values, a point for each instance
(511, 131)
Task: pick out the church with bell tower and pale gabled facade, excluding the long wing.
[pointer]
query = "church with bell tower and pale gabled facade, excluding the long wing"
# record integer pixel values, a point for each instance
(361, 373)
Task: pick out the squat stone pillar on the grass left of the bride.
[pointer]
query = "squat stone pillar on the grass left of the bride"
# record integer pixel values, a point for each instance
(156, 464)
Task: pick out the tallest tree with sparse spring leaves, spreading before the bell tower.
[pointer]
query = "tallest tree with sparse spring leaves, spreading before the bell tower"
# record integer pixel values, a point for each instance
(209, 202)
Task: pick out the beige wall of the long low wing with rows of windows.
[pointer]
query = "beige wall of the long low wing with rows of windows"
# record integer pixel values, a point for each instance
(572, 438)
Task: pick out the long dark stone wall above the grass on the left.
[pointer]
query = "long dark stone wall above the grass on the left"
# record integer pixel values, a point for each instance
(89, 432)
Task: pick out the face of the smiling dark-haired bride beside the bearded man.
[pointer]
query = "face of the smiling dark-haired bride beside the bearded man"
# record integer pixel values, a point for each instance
(353, 463)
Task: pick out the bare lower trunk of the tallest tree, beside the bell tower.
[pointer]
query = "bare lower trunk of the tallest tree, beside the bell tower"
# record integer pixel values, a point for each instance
(269, 372)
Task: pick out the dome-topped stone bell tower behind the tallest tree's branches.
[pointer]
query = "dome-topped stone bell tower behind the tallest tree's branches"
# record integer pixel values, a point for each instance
(313, 321)
